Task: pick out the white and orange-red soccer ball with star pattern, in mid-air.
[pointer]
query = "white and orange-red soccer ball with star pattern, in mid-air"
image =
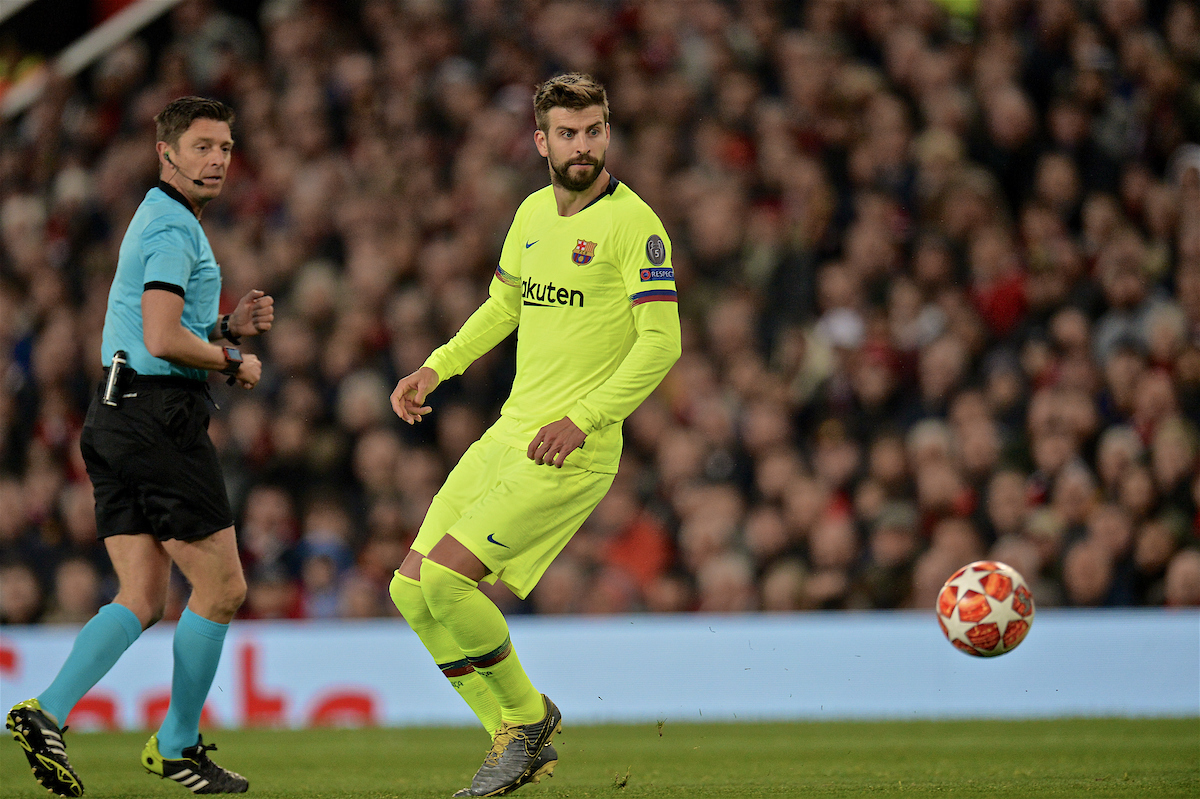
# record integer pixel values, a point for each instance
(986, 609)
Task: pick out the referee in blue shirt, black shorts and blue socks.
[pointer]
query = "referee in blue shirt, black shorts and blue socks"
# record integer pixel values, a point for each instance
(160, 495)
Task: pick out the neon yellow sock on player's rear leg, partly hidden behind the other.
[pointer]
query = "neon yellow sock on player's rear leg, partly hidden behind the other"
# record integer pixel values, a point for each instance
(406, 594)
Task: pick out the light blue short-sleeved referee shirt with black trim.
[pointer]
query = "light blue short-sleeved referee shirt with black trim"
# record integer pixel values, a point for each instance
(164, 249)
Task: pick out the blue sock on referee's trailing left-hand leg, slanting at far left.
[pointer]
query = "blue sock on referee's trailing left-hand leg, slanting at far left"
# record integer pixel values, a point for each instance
(98, 647)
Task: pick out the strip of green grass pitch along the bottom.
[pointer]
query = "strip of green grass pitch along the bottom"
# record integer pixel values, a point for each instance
(1077, 758)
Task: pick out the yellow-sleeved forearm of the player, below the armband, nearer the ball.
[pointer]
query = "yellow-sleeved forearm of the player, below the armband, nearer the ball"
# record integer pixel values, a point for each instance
(649, 362)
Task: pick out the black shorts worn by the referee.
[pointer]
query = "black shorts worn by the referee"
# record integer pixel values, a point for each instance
(153, 466)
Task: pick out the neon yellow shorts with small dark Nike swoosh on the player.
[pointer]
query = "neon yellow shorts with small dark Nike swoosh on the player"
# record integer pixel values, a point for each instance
(514, 515)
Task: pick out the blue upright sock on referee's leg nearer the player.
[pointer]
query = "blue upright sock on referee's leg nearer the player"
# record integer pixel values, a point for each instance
(197, 650)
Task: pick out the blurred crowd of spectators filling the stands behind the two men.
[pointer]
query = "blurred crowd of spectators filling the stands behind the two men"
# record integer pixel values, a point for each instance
(939, 267)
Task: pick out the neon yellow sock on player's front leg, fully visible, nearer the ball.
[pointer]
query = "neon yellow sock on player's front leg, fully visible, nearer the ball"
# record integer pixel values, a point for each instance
(479, 629)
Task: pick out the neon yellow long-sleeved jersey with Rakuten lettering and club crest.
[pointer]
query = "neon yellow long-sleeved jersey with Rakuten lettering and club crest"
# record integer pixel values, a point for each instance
(593, 299)
